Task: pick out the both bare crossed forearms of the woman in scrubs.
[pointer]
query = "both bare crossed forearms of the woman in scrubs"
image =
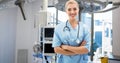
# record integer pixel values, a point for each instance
(72, 50)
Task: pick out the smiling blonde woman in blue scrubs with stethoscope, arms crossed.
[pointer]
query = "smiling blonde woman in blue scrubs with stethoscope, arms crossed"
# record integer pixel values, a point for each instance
(70, 46)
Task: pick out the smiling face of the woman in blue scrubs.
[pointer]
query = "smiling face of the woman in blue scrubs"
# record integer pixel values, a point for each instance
(72, 10)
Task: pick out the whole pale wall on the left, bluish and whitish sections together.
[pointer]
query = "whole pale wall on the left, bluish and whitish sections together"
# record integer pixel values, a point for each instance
(15, 33)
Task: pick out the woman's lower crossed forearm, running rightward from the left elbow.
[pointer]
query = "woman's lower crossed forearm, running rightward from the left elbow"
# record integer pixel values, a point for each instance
(62, 51)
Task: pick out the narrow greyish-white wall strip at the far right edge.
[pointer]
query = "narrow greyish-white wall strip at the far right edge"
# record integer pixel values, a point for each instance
(116, 32)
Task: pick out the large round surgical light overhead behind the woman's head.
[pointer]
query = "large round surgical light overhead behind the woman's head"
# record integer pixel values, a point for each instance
(89, 6)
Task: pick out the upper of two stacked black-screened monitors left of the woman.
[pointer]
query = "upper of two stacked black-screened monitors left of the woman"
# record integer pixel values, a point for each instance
(48, 33)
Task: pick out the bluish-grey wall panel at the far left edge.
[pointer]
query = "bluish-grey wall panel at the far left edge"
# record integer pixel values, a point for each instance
(8, 21)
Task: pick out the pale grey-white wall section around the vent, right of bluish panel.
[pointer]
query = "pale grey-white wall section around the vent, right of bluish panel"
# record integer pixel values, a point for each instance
(26, 33)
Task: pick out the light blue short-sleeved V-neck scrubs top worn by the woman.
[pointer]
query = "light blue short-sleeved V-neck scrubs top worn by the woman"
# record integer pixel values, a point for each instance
(64, 36)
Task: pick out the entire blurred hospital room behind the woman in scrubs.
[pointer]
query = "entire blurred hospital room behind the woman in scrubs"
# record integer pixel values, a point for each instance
(27, 28)
